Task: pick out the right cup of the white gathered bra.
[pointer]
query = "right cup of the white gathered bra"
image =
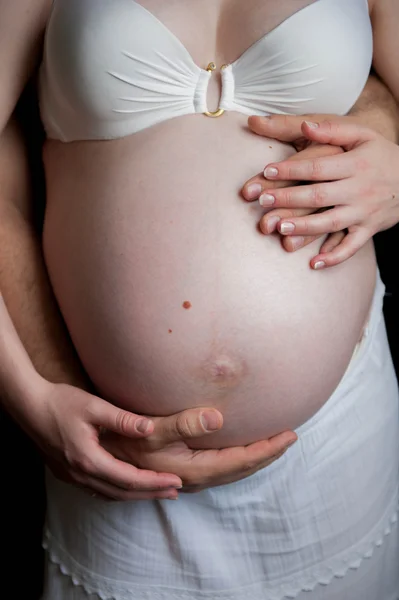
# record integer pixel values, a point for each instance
(291, 77)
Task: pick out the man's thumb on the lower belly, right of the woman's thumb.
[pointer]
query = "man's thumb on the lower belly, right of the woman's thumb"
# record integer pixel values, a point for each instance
(188, 424)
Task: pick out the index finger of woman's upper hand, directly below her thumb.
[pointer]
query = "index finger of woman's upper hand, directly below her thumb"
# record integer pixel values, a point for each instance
(327, 168)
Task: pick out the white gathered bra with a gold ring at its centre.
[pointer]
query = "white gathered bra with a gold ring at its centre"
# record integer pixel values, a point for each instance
(111, 68)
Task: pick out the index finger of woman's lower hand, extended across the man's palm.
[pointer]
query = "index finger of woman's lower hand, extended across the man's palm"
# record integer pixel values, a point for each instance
(102, 465)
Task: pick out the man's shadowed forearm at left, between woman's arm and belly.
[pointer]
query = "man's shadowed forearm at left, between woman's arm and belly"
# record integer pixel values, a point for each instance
(24, 283)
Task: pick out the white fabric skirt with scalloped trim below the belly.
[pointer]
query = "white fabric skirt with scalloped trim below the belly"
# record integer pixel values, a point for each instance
(318, 524)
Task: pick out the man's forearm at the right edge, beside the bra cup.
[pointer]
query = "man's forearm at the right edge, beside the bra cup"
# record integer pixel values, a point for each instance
(377, 108)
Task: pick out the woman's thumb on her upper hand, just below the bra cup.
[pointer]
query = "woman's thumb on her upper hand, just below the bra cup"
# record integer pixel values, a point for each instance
(337, 132)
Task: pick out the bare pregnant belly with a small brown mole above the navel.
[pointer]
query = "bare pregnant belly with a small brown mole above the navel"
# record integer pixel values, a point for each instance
(172, 296)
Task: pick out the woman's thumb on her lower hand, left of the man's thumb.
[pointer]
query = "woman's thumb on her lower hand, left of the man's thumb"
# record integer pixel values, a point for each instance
(104, 414)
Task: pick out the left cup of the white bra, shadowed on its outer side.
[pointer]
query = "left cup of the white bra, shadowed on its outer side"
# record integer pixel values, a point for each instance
(97, 75)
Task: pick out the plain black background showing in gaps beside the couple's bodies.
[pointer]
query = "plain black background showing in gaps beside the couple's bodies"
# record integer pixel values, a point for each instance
(22, 489)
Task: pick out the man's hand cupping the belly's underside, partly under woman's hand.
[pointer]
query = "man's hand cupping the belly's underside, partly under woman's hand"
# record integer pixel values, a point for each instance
(167, 449)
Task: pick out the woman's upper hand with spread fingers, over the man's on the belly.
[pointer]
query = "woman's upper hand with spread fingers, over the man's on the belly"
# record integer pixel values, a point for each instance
(357, 191)
